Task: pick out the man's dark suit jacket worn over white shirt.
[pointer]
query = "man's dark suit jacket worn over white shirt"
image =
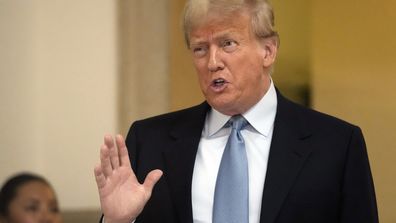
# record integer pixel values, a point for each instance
(318, 169)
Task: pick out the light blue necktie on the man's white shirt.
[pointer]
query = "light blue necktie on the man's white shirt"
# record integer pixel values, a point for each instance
(231, 200)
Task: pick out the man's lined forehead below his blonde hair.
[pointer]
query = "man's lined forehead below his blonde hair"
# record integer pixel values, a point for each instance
(217, 26)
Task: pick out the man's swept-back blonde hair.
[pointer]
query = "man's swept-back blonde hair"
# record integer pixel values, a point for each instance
(261, 14)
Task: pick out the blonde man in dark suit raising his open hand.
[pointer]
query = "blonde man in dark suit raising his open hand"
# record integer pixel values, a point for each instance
(302, 166)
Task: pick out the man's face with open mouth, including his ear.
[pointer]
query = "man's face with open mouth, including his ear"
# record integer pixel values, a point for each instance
(232, 64)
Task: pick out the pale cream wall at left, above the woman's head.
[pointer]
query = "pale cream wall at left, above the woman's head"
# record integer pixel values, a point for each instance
(58, 79)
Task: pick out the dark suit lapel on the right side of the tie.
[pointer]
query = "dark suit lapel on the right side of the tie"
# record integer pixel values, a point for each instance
(288, 152)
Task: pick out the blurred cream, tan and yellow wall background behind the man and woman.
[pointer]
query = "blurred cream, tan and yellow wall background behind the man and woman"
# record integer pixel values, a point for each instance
(71, 71)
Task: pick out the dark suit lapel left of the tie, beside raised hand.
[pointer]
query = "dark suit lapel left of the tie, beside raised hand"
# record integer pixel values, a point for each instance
(180, 158)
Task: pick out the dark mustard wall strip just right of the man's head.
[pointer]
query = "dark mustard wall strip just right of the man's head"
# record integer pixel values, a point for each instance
(292, 68)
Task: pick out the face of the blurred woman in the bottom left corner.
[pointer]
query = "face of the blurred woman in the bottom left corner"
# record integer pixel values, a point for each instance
(35, 202)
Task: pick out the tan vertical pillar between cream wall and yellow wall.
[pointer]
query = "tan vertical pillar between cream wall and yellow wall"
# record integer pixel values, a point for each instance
(143, 59)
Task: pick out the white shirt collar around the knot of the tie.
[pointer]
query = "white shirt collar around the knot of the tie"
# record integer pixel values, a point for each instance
(261, 116)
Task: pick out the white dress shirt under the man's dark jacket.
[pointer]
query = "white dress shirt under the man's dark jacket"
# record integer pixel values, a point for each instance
(214, 137)
